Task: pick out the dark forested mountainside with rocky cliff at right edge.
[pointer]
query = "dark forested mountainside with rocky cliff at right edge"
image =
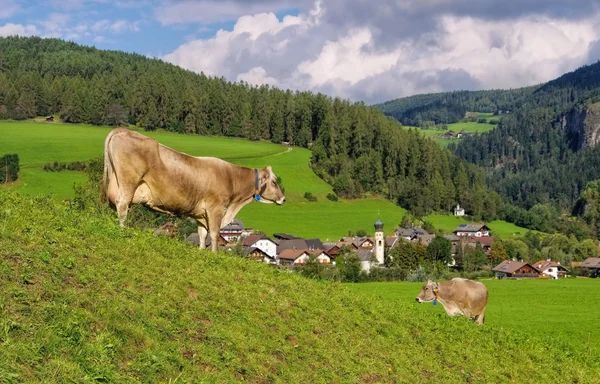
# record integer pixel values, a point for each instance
(544, 151)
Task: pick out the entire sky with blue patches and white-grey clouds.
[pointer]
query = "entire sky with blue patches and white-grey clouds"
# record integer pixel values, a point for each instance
(362, 50)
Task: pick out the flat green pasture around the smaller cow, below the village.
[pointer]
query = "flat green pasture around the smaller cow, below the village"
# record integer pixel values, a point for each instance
(551, 310)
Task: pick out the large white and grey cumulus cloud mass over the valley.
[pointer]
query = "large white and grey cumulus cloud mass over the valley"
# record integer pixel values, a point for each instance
(363, 51)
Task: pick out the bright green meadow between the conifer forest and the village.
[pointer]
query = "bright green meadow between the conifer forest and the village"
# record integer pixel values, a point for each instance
(41, 143)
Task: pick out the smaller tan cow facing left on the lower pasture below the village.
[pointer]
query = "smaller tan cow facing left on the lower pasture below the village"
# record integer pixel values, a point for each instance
(458, 297)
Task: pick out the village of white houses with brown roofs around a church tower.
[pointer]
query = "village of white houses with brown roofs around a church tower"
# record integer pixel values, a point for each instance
(289, 251)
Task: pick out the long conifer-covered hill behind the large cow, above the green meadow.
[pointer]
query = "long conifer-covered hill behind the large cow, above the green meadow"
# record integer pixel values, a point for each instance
(355, 148)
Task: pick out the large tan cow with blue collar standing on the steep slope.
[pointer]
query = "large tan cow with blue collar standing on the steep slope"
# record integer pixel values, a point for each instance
(139, 170)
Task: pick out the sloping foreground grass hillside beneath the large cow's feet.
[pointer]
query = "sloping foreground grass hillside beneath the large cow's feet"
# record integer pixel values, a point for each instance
(83, 300)
